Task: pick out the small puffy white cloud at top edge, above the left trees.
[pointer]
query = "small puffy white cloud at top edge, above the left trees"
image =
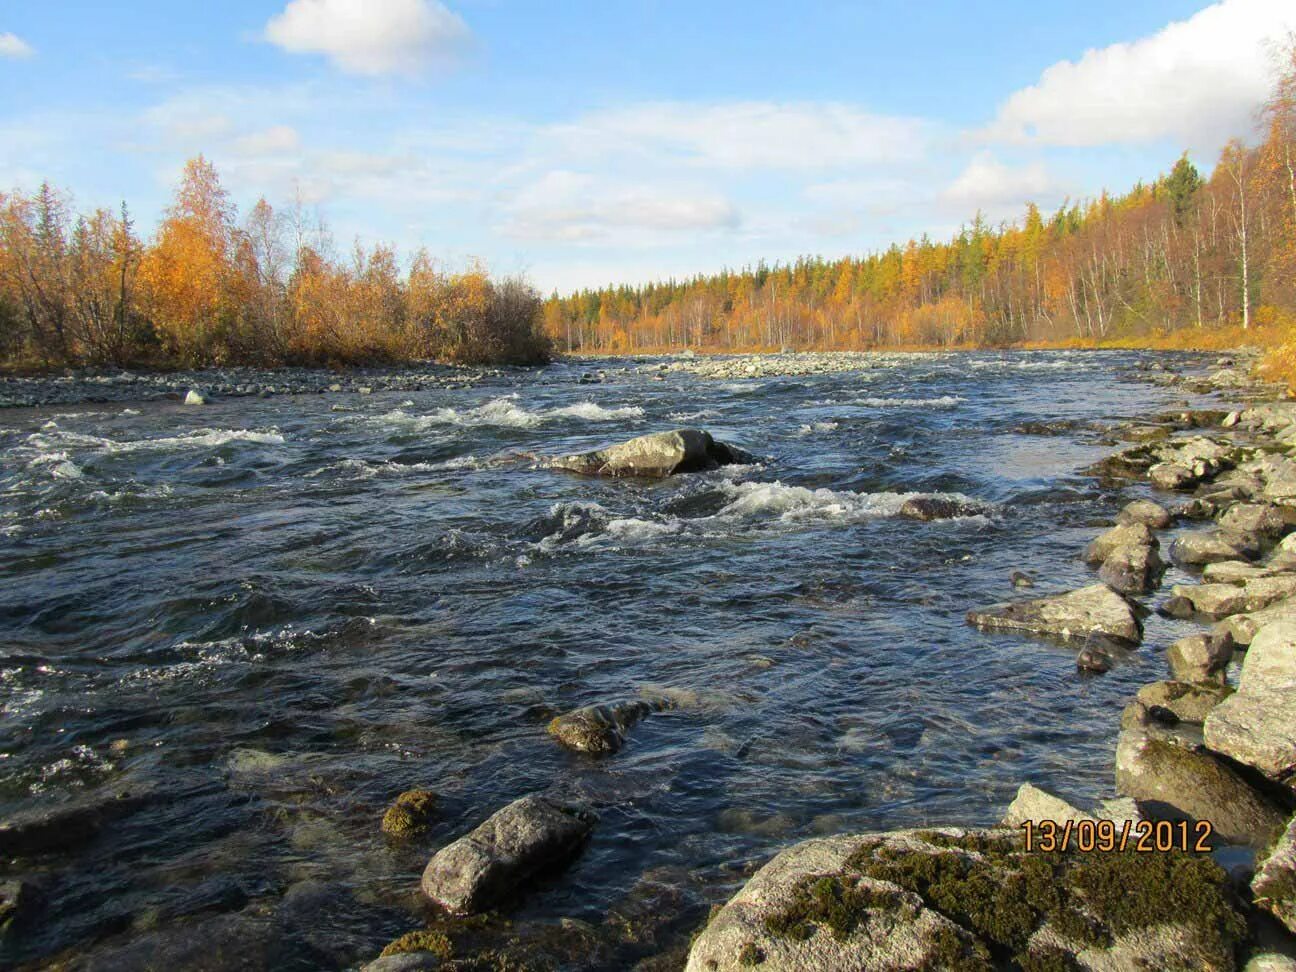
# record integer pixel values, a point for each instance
(371, 37)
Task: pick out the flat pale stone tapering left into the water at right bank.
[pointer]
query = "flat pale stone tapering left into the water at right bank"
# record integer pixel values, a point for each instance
(1076, 615)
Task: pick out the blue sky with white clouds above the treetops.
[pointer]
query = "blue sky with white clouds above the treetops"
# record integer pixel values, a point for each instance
(585, 143)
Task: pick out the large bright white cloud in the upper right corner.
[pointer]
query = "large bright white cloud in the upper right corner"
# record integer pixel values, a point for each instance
(1198, 81)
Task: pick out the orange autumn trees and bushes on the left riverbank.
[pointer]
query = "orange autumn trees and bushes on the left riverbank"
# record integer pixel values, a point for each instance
(211, 290)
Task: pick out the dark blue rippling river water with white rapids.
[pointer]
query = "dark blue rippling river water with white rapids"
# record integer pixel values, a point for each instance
(266, 619)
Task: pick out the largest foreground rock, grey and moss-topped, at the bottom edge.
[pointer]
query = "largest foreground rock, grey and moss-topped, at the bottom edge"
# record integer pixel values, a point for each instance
(970, 900)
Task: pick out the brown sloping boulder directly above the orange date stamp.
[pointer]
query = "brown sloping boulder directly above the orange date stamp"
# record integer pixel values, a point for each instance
(1176, 782)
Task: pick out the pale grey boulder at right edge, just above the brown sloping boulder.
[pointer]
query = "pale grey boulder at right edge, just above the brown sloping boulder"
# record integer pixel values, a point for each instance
(1258, 728)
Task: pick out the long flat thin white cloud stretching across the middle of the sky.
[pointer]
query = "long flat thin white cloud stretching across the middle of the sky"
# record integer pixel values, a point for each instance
(750, 134)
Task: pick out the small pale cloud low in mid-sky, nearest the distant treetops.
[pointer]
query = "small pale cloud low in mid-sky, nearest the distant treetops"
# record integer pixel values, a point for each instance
(567, 207)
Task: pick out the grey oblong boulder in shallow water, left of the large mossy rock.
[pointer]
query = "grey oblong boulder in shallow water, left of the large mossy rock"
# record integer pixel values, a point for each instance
(523, 839)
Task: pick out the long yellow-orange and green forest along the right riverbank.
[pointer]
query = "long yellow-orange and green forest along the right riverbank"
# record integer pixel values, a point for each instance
(1181, 253)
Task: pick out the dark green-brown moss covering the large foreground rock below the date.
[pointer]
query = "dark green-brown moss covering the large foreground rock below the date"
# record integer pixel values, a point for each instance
(991, 887)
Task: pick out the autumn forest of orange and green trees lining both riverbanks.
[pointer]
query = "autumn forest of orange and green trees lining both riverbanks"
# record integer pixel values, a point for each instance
(1185, 260)
